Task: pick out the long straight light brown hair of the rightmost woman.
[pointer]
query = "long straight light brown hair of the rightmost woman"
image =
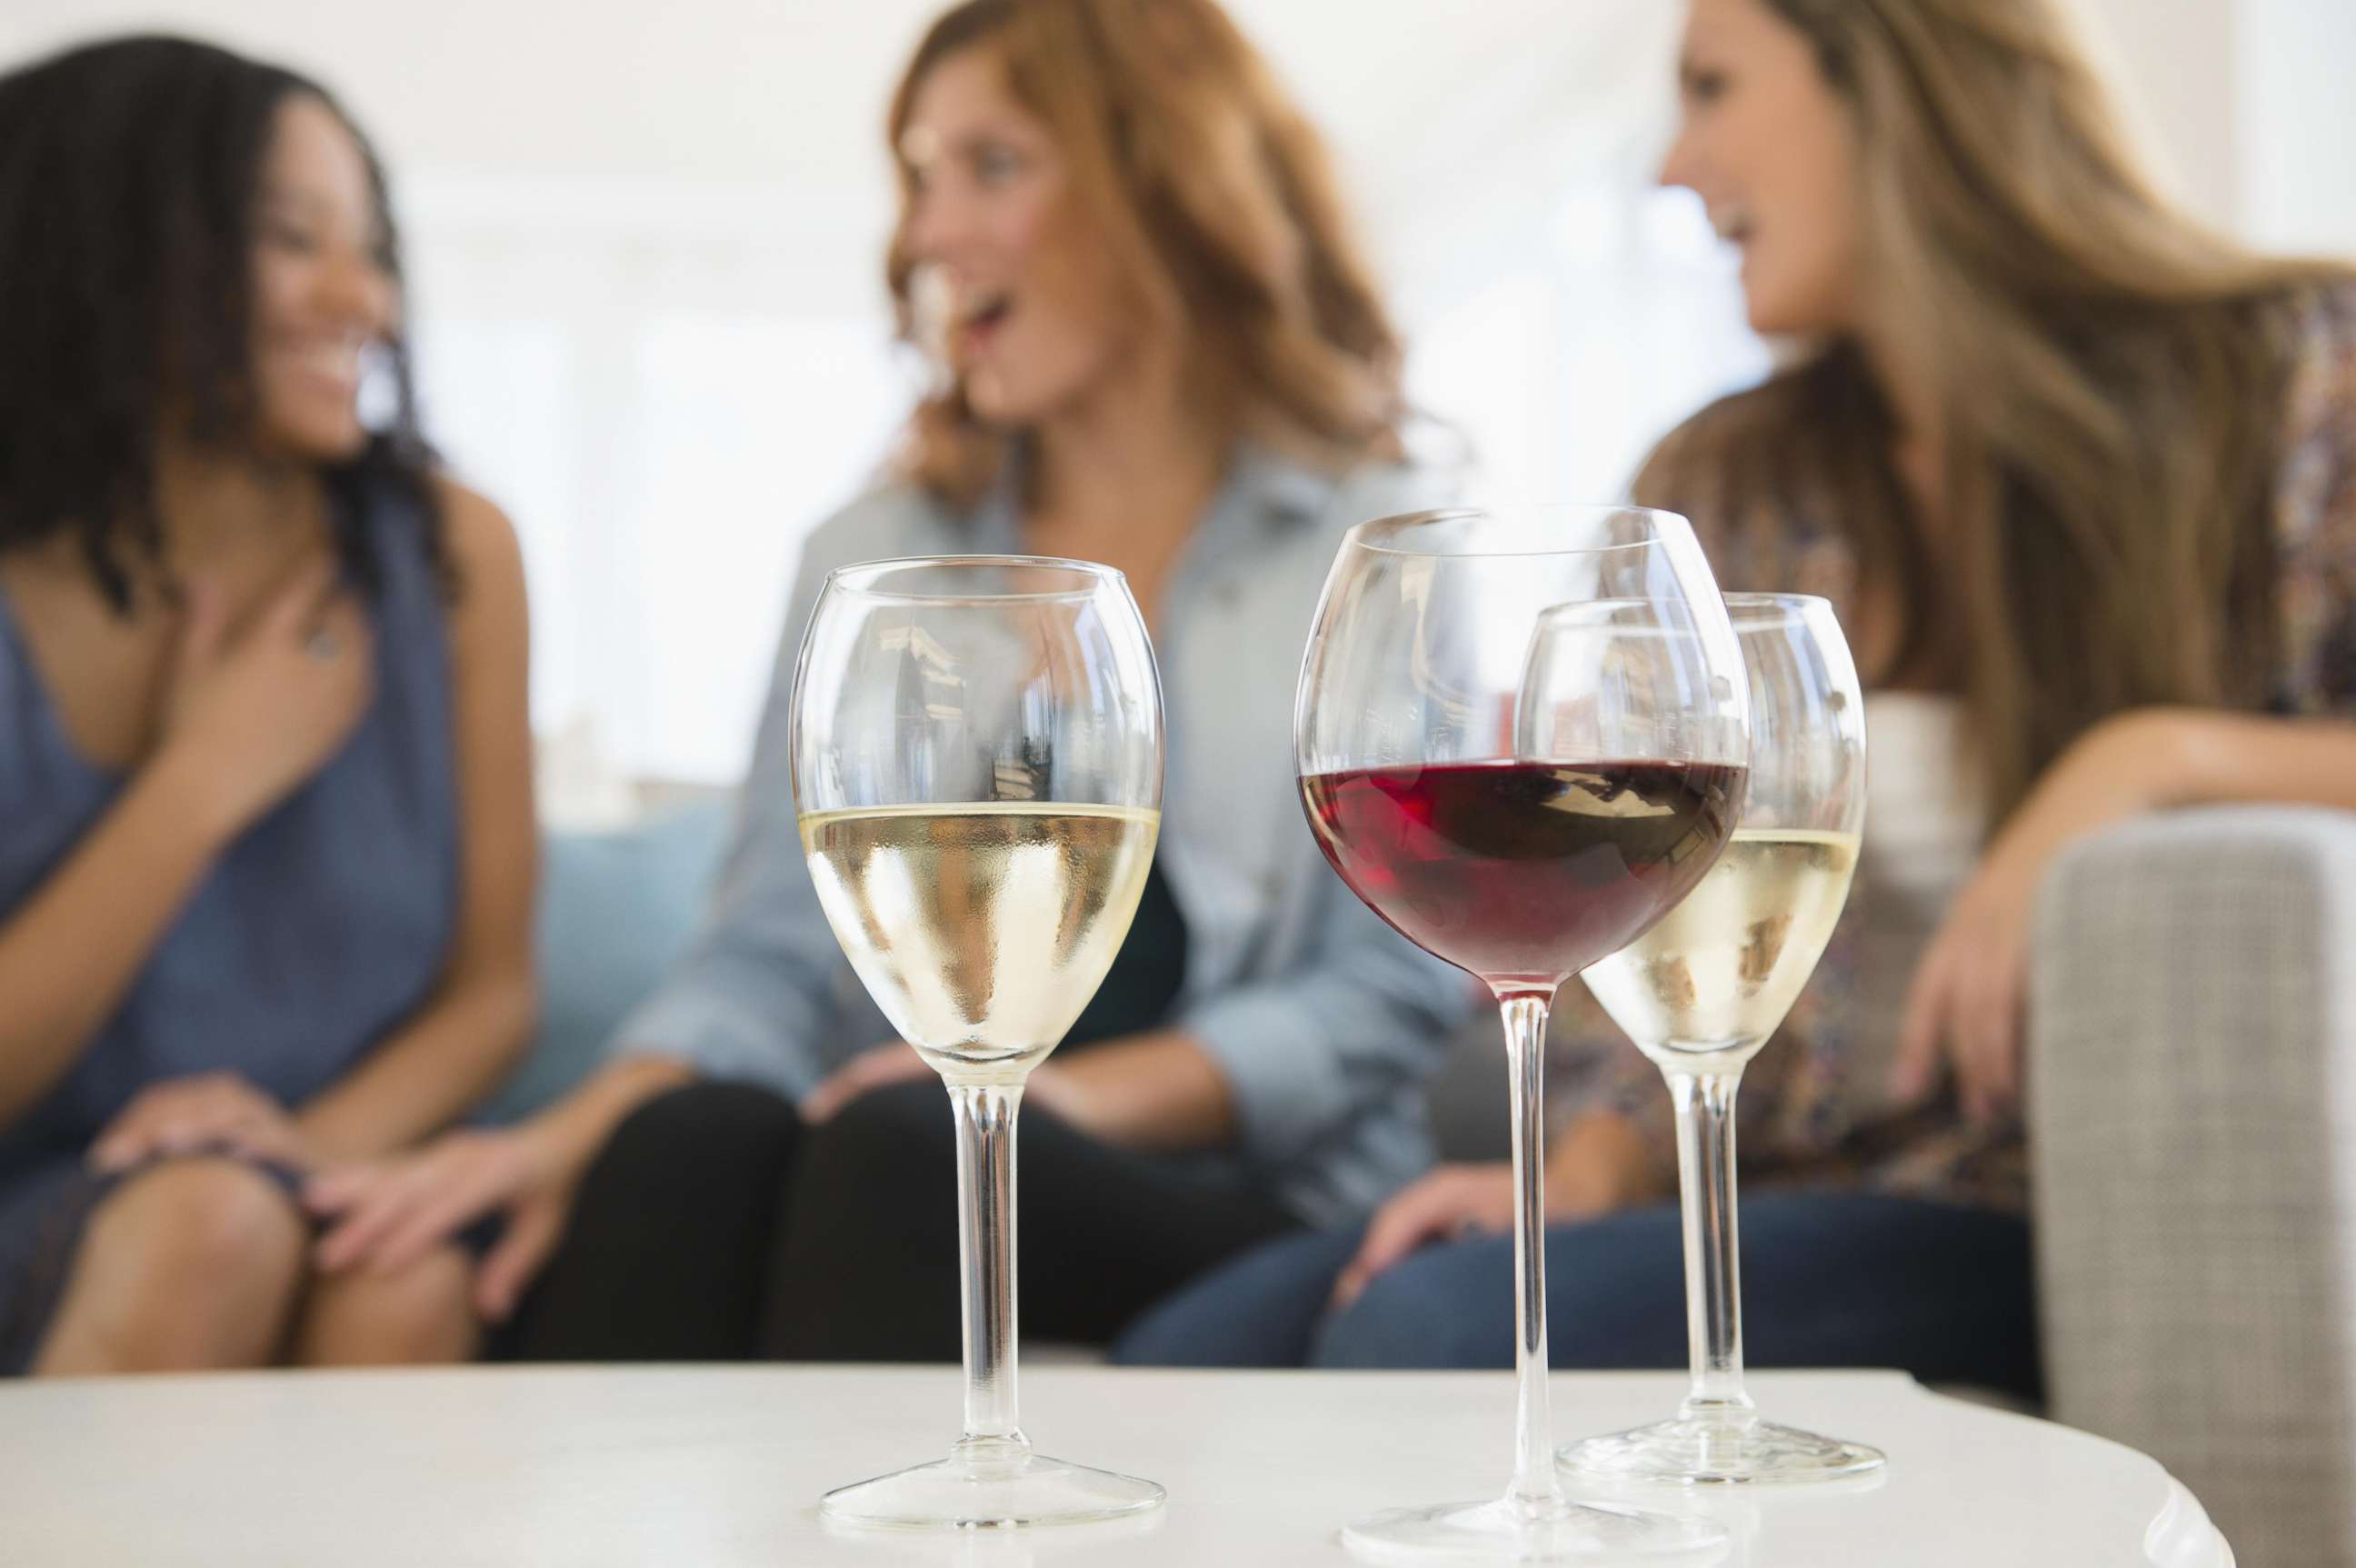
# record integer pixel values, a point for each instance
(2110, 376)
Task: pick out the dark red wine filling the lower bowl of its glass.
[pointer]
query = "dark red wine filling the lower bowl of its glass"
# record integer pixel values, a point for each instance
(1523, 872)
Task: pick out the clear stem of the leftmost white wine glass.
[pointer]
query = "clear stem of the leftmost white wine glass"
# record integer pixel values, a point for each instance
(986, 1247)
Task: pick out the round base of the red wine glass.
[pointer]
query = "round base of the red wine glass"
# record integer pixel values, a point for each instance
(1509, 1532)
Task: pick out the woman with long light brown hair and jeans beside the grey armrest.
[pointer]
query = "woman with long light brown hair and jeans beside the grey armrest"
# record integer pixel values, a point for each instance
(2082, 481)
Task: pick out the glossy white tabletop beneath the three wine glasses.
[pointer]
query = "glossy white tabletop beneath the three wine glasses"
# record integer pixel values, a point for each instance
(722, 1468)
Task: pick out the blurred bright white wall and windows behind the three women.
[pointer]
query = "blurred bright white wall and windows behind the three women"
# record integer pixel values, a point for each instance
(647, 260)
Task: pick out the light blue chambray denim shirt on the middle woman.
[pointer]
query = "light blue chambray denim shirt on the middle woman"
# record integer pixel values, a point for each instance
(1323, 1018)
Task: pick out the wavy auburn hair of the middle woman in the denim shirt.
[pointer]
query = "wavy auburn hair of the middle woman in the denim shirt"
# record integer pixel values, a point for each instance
(1217, 201)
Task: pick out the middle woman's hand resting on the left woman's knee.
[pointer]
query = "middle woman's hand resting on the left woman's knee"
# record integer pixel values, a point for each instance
(390, 1214)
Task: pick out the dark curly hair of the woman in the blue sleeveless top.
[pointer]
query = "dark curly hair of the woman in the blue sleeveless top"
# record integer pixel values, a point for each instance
(128, 182)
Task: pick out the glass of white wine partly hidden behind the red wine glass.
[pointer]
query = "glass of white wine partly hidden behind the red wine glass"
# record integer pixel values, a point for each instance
(1702, 992)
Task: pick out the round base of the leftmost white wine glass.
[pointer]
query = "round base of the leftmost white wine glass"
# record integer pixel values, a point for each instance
(991, 1494)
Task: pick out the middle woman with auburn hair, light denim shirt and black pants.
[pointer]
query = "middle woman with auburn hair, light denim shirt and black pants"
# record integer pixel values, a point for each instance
(1158, 352)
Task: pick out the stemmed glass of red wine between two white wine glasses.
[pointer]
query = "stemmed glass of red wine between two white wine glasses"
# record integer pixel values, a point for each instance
(1523, 830)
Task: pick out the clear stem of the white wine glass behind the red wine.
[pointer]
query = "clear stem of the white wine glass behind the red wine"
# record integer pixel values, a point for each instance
(1714, 1282)
